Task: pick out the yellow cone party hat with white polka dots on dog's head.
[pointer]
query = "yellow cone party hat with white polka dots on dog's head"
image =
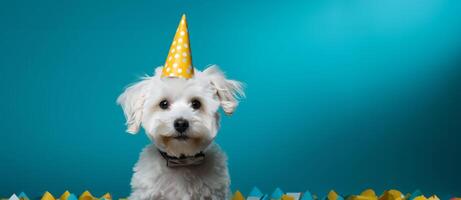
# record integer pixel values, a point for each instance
(179, 60)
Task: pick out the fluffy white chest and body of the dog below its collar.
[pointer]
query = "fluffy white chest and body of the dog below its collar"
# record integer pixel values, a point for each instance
(154, 180)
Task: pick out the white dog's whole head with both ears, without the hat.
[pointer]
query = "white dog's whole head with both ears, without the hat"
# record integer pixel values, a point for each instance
(180, 115)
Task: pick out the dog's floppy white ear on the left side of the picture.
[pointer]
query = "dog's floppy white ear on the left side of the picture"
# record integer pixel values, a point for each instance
(132, 101)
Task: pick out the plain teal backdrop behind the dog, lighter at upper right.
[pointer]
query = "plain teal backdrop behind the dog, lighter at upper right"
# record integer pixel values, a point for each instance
(341, 95)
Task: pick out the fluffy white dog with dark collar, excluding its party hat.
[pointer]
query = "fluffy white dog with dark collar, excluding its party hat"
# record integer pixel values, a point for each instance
(180, 117)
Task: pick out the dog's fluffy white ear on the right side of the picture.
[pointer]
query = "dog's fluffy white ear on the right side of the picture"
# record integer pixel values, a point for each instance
(228, 91)
